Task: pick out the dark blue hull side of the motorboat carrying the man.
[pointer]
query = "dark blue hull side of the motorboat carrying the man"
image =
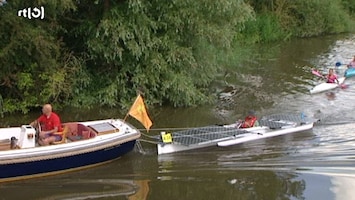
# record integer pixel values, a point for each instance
(37, 168)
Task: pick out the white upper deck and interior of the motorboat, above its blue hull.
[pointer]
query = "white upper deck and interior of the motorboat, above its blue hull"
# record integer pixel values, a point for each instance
(106, 132)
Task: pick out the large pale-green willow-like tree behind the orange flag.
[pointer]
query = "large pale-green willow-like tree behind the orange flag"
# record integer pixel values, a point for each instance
(159, 48)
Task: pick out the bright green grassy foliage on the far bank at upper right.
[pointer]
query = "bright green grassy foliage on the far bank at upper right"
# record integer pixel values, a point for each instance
(281, 19)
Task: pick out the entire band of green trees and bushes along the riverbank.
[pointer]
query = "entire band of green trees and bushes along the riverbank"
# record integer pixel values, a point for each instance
(100, 53)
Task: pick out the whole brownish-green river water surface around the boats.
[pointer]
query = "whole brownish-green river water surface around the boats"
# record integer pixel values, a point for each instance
(316, 164)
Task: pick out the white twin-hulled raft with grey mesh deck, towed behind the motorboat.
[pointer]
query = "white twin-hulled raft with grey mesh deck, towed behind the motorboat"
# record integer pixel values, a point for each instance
(229, 135)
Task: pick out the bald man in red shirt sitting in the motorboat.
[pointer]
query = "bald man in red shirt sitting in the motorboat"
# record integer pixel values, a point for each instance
(49, 124)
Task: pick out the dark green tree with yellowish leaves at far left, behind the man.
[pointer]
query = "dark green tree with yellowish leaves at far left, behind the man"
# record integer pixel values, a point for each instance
(34, 66)
